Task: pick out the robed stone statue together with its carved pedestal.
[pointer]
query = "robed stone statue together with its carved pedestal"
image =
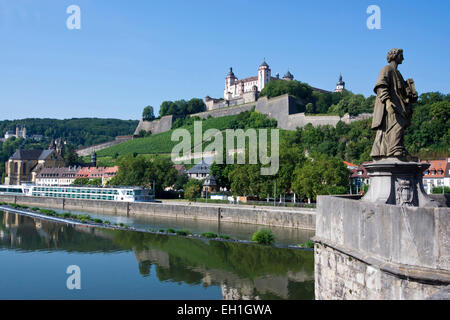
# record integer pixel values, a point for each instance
(395, 177)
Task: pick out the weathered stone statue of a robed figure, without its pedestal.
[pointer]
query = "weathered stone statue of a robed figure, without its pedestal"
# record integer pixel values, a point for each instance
(392, 111)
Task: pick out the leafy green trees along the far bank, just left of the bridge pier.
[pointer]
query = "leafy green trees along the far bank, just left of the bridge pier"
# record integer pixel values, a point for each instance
(307, 176)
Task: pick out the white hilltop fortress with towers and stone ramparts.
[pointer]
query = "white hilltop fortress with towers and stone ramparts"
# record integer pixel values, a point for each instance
(242, 95)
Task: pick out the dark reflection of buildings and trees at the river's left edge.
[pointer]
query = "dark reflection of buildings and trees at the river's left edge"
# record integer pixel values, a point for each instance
(26, 233)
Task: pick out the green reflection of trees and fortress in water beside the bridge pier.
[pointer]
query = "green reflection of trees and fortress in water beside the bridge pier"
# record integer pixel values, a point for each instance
(242, 271)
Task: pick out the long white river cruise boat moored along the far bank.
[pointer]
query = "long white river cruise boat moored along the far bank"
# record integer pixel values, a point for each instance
(121, 194)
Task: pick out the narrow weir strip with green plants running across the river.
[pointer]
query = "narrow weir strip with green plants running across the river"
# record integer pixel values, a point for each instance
(87, 220)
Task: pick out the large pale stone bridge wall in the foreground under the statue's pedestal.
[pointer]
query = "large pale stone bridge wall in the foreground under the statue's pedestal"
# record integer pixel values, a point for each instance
(373, 251)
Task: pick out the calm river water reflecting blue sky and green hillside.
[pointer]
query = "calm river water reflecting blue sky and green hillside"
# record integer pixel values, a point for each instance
(113, 264)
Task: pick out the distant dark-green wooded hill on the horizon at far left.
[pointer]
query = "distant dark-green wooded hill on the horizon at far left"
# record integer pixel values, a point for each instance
(79, 132)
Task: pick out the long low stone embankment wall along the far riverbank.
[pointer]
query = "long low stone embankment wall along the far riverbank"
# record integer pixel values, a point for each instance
(280, 217)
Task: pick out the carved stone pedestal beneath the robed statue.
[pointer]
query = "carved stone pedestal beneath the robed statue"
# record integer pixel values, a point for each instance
(397, 182)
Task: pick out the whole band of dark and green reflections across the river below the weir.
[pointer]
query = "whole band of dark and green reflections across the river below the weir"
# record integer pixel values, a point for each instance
(241, 271)
